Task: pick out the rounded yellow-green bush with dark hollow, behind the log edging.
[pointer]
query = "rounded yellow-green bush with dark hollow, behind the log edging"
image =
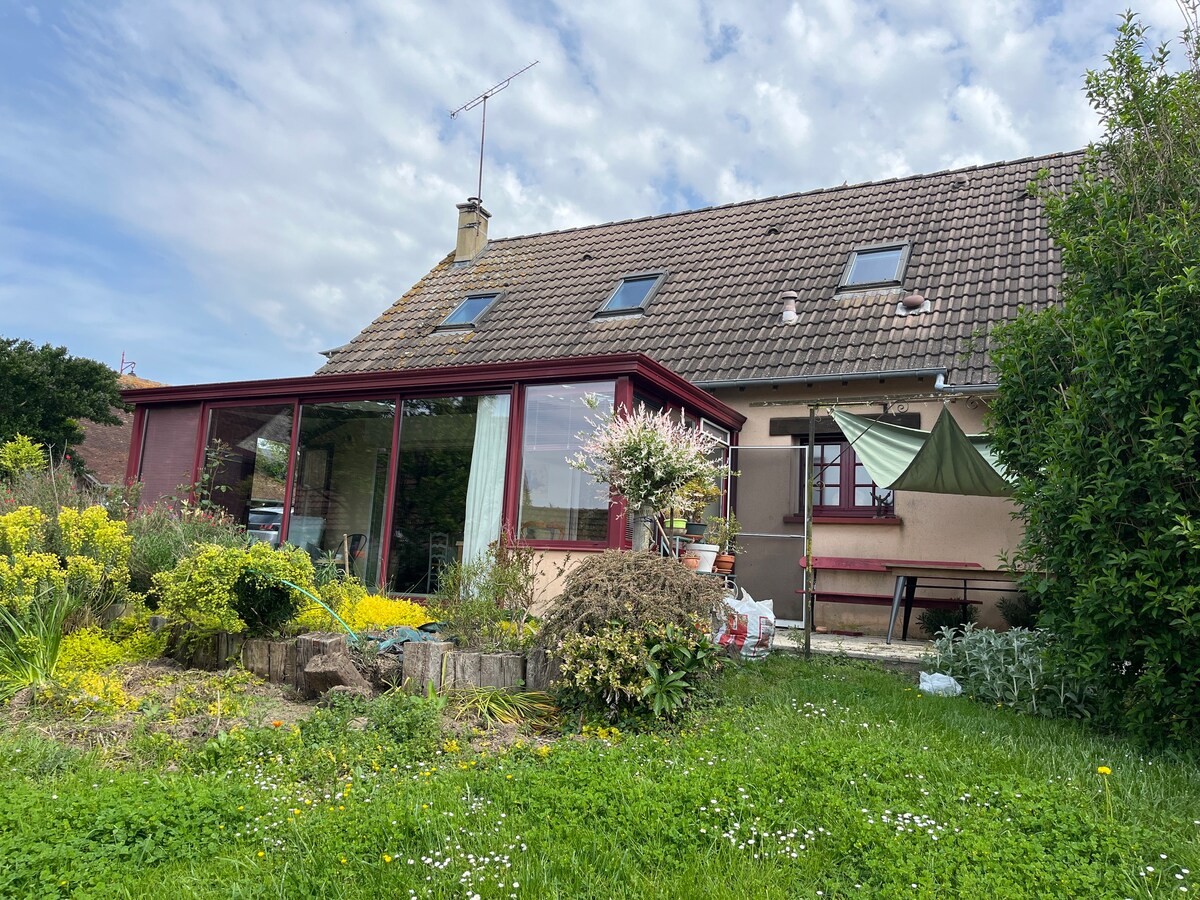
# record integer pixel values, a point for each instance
(236, 589)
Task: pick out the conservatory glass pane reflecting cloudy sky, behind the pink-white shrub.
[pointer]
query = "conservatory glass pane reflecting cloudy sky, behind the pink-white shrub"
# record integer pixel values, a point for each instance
(557, 502)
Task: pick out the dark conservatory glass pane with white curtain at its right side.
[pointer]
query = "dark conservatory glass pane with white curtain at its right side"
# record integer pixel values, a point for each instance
(449, 487)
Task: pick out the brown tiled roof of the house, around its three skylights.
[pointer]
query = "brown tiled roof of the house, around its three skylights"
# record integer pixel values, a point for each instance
(980, 251)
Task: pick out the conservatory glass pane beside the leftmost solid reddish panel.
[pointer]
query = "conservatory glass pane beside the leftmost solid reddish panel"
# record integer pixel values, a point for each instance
(247, 466)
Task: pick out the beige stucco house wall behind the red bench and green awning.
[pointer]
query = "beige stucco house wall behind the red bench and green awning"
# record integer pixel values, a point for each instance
(933, 527)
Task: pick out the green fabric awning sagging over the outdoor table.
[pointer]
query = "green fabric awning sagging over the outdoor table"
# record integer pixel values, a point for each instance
(940, 461)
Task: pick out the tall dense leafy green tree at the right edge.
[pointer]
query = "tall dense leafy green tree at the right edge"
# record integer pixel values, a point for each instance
(1099, 410)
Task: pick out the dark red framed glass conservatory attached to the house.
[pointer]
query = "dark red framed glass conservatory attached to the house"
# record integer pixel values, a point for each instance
(399, 473)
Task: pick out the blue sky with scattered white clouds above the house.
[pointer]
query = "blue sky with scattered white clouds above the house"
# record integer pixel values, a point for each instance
(221, 189)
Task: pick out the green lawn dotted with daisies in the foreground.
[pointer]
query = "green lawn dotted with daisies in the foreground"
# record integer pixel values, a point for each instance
(807, 779)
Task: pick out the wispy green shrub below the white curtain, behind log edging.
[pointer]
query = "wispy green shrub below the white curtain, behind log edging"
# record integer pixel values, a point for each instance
(485, 603)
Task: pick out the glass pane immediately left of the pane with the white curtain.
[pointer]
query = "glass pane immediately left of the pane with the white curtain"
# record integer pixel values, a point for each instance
(341, 482)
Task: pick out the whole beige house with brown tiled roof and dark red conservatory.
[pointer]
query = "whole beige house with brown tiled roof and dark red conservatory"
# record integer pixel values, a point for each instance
(455, 410)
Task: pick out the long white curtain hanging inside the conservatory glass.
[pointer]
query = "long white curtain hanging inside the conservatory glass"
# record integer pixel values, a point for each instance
(485, 490)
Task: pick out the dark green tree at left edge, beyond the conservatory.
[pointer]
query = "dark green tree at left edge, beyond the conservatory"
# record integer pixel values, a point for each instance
(45, 392)
